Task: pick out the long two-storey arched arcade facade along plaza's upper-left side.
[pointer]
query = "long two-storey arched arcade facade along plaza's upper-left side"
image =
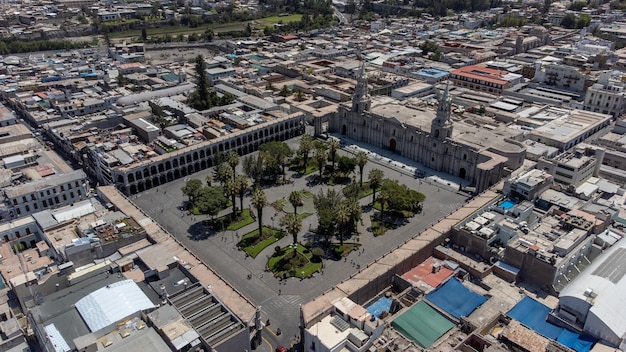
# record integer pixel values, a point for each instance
(142, 175)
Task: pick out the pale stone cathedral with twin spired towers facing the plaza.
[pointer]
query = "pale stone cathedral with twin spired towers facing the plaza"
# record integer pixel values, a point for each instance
(473, 148)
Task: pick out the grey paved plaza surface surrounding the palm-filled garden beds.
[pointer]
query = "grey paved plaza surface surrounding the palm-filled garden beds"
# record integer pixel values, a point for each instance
(280, 299)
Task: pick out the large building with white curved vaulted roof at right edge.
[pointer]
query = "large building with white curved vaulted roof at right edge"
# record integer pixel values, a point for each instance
(593, 302)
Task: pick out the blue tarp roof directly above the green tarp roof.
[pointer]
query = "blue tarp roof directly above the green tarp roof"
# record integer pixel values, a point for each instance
(455, 299)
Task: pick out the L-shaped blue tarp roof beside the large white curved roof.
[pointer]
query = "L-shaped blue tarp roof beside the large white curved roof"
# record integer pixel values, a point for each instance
(534, 314)
